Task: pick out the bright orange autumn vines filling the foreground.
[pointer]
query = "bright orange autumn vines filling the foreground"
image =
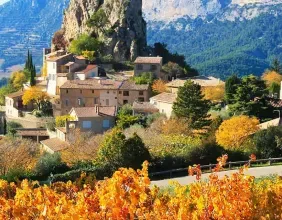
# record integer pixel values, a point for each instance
(129, 195)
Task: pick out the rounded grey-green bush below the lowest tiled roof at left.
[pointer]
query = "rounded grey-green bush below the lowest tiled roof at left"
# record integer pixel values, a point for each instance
(50, 163)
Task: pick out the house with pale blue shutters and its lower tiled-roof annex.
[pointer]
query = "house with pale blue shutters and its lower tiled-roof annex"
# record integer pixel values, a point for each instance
(94, 120)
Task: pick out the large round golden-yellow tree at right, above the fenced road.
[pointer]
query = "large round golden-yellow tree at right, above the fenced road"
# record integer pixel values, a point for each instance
(233, 132)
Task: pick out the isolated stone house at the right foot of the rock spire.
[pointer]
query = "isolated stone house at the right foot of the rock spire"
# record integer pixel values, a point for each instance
(148, 64)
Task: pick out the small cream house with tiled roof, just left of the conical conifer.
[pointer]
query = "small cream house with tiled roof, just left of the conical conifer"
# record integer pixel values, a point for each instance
(164, 102)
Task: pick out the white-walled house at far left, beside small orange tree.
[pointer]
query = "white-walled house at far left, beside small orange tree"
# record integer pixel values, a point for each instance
(14, 105)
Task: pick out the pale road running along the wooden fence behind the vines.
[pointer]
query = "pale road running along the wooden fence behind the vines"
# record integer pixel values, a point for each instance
(256, 172)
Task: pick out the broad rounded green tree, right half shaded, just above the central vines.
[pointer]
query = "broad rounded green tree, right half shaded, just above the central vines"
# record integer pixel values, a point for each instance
(117, 151)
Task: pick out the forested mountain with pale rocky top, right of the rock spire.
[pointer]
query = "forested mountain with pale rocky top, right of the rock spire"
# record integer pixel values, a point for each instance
(218, 37)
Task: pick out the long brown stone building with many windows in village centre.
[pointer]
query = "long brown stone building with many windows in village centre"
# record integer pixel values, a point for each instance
(102, 92)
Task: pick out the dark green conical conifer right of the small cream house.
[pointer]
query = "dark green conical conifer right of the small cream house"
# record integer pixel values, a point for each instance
(190, 104)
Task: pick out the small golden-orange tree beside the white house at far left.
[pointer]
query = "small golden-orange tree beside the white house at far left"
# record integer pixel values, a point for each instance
(35, 95)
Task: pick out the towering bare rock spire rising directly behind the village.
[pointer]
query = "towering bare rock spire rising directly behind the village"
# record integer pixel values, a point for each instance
(128, 28)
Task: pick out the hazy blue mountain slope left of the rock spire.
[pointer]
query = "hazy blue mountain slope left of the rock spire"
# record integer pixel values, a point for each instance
(27, 24)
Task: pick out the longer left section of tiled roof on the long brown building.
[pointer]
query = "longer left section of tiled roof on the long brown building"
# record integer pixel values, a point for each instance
(92, 84)
